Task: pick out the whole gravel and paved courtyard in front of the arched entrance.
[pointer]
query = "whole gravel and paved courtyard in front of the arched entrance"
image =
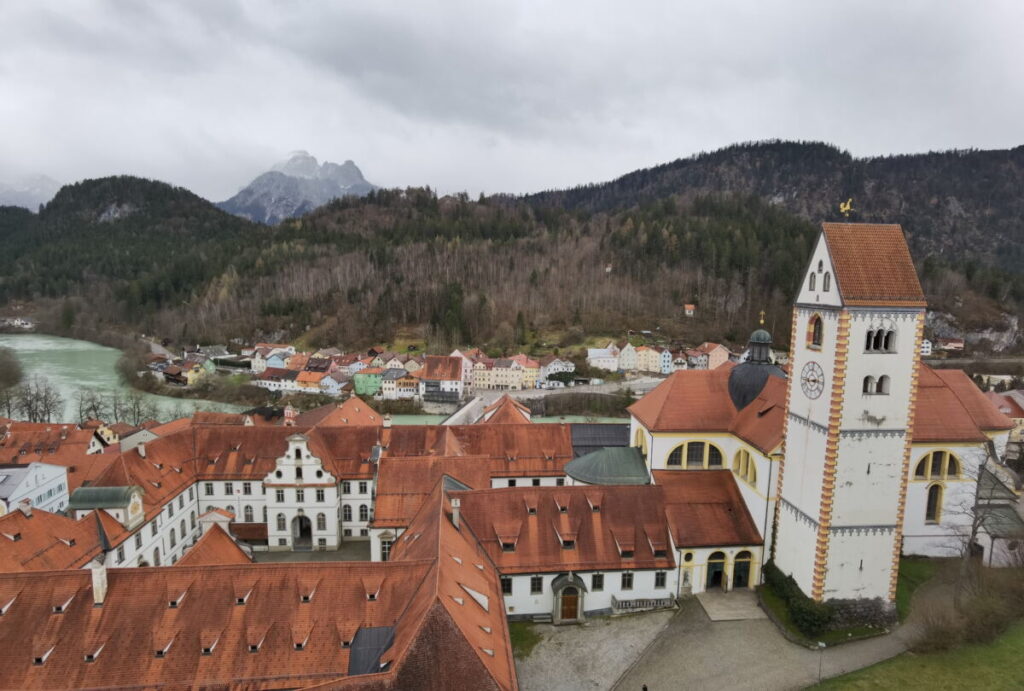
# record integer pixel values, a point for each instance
(739, 650)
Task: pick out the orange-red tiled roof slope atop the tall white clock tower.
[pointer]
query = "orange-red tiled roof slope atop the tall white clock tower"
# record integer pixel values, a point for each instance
(873, 265)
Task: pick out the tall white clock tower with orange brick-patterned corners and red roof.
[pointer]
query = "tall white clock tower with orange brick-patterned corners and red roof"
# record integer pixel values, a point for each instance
(855, 351)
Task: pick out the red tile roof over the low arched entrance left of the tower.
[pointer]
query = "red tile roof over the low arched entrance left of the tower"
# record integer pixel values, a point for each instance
(705, 508)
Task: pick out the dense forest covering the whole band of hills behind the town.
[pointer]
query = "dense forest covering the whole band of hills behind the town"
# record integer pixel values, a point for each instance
(730, 232)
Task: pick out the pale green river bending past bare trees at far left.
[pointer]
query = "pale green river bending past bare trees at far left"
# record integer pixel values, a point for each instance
(71, 366)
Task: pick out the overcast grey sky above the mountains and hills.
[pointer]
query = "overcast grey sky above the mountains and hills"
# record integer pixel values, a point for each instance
(495, 97)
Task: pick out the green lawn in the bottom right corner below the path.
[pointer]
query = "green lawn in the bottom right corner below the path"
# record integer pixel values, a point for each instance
(997, 666)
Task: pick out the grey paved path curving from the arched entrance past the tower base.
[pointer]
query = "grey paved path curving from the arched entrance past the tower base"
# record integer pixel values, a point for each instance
(695, 653)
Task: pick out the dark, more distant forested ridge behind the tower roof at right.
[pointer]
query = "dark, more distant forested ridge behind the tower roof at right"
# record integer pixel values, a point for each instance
(954, 205)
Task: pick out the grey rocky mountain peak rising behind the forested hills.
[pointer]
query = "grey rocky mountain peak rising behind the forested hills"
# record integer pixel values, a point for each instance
(296, 187)
